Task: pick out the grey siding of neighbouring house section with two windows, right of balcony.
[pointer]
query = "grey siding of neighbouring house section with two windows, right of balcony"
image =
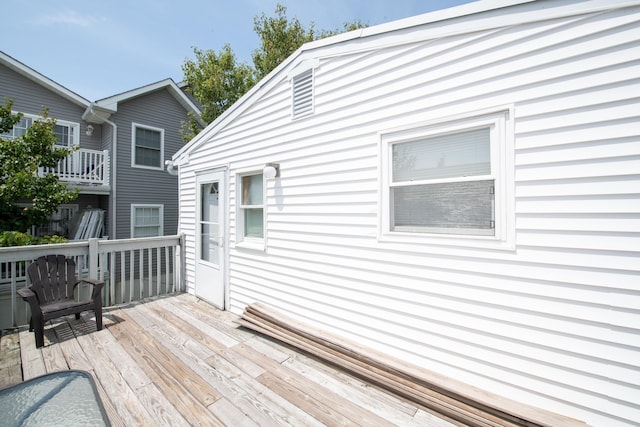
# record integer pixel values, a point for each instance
(145, 186)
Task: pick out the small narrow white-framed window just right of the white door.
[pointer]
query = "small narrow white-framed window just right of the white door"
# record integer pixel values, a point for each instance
(251, 208)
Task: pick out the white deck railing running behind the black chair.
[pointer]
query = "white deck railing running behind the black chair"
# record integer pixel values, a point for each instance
(132, 269)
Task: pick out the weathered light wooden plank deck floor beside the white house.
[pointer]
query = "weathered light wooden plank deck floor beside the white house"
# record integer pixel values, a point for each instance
(179, 361)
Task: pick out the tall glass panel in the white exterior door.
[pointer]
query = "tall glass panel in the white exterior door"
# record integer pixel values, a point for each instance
(209, 223)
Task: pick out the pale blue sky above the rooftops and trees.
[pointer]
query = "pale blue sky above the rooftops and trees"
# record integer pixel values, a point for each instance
(99, 49)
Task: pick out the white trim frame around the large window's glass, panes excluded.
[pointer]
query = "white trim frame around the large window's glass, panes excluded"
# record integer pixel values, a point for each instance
(502, 170)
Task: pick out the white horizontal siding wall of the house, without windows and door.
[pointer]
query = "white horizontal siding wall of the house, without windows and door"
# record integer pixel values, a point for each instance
(552, 321)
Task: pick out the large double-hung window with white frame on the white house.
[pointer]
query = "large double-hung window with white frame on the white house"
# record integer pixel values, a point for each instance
(446, 179)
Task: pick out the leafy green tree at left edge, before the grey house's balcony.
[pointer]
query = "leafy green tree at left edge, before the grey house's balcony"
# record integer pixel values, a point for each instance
(20, 160)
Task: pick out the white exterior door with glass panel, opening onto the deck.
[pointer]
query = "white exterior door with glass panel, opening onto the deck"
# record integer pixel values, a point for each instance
(211, 238)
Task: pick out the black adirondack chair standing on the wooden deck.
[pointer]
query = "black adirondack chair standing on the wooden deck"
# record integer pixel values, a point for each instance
(51, 294)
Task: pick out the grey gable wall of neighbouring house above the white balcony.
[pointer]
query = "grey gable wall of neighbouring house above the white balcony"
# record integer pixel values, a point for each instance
(30, 97)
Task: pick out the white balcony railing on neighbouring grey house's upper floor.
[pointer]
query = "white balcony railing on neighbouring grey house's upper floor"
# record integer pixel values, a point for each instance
(83, 167)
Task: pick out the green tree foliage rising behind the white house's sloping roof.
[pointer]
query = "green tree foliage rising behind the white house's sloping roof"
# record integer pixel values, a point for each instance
(217, 80)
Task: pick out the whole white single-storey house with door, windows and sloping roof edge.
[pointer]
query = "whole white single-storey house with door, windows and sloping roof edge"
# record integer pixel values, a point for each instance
(459, 189)
